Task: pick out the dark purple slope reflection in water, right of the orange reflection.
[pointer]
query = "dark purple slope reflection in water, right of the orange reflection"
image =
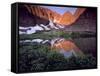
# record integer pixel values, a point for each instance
(87, 45)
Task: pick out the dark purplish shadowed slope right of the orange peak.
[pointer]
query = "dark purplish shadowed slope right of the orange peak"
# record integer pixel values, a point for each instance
(87, 21)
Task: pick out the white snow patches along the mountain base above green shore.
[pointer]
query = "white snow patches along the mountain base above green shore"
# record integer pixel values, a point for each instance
(41, 27)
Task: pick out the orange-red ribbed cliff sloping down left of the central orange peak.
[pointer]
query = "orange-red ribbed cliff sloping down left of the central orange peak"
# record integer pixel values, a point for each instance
(42, 12)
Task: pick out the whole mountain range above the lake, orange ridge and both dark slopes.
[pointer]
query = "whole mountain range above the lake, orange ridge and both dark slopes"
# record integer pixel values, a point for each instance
(84, 19)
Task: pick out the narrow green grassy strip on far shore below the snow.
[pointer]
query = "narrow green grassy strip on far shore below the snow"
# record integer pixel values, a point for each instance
(55, 33)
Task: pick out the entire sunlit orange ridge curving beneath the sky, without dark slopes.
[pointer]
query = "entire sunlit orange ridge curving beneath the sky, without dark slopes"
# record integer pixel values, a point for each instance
(66, 19)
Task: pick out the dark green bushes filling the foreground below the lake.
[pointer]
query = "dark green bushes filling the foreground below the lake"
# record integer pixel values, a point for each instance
(41, 58)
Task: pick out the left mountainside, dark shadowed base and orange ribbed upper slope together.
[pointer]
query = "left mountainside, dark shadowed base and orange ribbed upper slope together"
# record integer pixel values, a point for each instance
(30, 15)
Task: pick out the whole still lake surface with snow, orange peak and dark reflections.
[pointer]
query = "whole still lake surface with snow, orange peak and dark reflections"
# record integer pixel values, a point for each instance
(68, 47)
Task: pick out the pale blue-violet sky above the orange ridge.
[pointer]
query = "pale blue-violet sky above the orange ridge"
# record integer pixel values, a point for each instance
(61, 10)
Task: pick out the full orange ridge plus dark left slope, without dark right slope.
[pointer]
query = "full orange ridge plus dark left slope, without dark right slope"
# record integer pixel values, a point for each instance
(31, 15)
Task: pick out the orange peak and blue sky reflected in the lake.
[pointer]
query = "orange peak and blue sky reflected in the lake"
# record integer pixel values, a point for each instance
(67, 47)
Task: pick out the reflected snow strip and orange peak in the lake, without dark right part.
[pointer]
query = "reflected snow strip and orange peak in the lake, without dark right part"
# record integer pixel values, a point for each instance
(61, 45)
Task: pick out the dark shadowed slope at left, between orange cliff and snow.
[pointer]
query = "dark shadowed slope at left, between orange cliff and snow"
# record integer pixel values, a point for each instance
(27, 19)
